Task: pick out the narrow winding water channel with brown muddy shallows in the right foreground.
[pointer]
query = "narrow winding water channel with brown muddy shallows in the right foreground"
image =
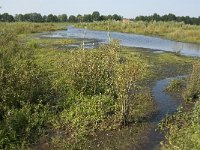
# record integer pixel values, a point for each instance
(125, 138)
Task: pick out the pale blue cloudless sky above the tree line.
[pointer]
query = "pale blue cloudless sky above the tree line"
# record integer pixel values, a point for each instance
(125, 8)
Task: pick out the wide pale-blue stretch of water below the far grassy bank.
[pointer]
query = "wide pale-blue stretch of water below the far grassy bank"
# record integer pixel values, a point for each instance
(131, 40)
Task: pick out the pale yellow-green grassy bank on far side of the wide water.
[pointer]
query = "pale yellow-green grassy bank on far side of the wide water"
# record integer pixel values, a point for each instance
(170, 30)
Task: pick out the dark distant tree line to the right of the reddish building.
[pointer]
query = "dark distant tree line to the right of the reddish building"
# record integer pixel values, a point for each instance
(170, 17)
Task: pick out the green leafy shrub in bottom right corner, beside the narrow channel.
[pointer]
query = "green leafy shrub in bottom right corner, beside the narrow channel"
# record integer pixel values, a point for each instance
(183, 130)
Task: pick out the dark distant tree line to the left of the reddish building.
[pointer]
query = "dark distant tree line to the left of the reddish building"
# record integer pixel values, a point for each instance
(37, 17)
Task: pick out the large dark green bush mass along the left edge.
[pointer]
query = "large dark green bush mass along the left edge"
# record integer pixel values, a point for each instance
(26, 91)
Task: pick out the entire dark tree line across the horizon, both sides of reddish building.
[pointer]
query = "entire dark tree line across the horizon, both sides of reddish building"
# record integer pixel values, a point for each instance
(95, 16)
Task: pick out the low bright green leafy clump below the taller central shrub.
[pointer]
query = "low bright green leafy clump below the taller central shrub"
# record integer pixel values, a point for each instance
(89, 113)
